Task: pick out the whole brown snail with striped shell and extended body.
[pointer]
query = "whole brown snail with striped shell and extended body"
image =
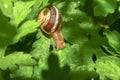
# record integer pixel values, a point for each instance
(50, 19)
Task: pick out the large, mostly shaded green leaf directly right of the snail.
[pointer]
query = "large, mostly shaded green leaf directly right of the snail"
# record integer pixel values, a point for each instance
(80, 30)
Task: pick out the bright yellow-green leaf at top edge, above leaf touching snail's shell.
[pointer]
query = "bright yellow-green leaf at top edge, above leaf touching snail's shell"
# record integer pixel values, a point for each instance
(20, 11)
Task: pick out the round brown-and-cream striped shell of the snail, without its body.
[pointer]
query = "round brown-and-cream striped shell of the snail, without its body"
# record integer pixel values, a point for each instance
(50, 19)
